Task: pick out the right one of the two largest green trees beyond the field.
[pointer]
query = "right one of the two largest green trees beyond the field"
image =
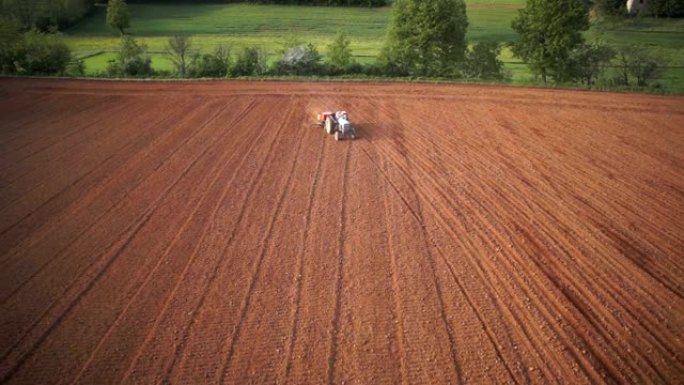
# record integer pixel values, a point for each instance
(548, 31)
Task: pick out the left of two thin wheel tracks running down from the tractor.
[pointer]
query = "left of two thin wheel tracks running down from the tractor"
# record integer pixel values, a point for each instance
(300, 264)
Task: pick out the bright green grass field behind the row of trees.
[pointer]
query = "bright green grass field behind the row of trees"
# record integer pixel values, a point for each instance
(270, 27)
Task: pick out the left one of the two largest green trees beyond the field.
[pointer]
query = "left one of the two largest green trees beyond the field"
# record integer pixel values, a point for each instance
(426, 37)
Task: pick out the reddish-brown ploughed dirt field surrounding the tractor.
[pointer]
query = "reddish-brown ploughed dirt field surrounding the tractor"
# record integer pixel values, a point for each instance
(206, 232)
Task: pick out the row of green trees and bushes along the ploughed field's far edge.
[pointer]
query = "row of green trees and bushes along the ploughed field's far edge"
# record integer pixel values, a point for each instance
(425, 39)
